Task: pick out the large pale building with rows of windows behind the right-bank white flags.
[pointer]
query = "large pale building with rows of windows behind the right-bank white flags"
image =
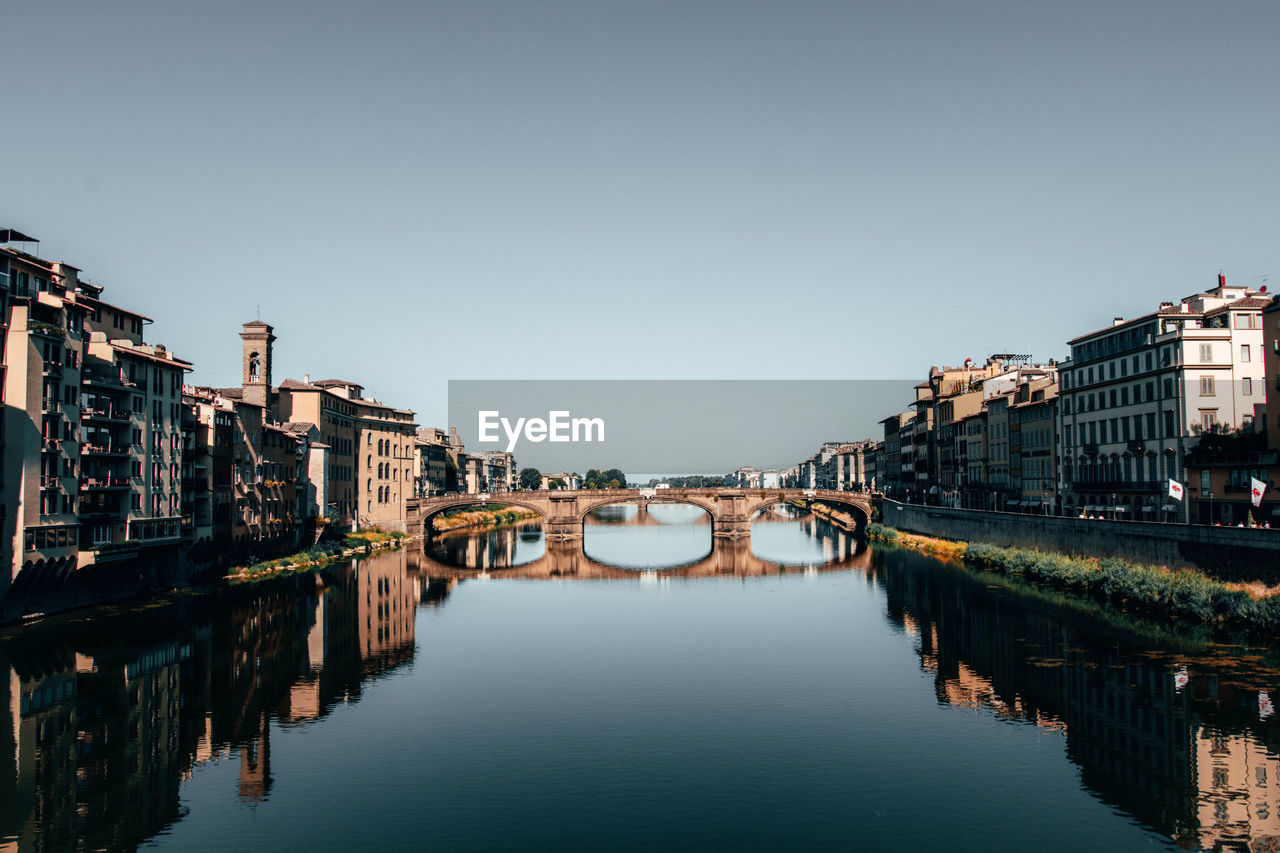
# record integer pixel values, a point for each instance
(1136, 396)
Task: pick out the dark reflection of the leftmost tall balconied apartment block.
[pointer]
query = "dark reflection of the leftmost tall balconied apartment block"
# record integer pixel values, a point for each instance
(97, 749)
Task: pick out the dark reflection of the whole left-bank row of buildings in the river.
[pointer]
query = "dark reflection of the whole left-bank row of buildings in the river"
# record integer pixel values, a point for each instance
(107, 717)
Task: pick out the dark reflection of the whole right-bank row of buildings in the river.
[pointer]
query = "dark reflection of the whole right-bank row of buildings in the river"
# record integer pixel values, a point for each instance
(1186, 763)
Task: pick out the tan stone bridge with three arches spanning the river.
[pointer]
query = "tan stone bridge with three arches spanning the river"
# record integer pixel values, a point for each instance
(563, 512)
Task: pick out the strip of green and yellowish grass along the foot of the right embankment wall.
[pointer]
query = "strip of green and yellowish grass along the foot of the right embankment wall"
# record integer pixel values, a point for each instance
(1181, 594)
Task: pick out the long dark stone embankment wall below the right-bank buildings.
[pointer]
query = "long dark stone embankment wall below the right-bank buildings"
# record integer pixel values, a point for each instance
(1229, 554)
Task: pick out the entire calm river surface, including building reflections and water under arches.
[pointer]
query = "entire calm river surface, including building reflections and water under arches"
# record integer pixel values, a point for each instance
(643, 690)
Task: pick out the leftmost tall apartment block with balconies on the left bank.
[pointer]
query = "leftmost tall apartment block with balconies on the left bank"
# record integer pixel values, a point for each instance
(93, 428)
